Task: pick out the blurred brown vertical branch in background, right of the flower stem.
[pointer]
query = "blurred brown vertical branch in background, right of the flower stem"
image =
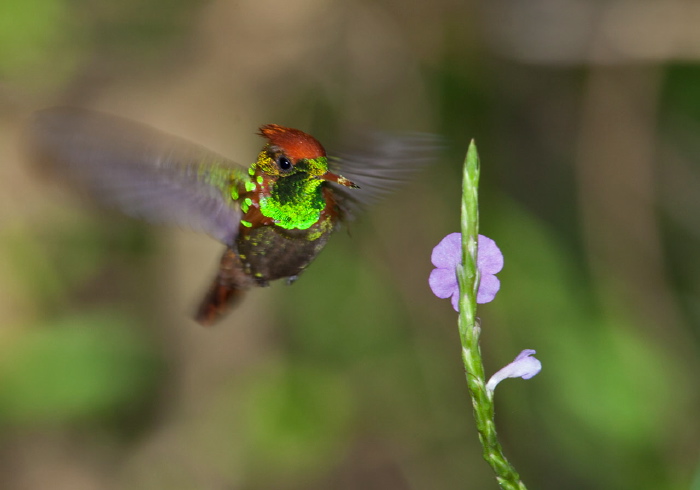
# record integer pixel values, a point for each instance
(615, 167)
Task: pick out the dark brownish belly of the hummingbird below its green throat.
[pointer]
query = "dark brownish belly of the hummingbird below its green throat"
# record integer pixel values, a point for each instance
(271, 252)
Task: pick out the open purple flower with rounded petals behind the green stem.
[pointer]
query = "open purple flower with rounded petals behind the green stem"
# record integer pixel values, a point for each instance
(448, 254)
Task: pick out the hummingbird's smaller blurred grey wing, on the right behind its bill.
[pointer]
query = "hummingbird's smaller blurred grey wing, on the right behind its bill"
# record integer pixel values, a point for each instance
(379, 163)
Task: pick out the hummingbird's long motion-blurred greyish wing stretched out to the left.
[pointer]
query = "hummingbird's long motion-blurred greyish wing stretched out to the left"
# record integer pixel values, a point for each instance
(145, 173)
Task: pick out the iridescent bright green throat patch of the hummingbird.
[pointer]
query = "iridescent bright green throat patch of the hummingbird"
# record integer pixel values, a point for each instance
(296, 200)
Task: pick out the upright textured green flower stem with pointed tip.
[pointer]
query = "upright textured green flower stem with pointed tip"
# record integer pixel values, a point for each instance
(469, 329)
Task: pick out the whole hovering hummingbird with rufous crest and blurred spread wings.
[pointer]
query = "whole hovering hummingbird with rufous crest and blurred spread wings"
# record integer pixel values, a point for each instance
(274, 217)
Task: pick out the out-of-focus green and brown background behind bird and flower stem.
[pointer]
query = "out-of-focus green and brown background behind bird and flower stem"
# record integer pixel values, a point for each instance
(587, 118)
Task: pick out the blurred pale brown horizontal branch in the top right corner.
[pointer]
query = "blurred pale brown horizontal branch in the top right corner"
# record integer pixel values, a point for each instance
(580, 32)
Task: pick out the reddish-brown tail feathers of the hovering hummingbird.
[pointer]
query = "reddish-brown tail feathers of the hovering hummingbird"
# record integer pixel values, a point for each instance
(227, 290)
